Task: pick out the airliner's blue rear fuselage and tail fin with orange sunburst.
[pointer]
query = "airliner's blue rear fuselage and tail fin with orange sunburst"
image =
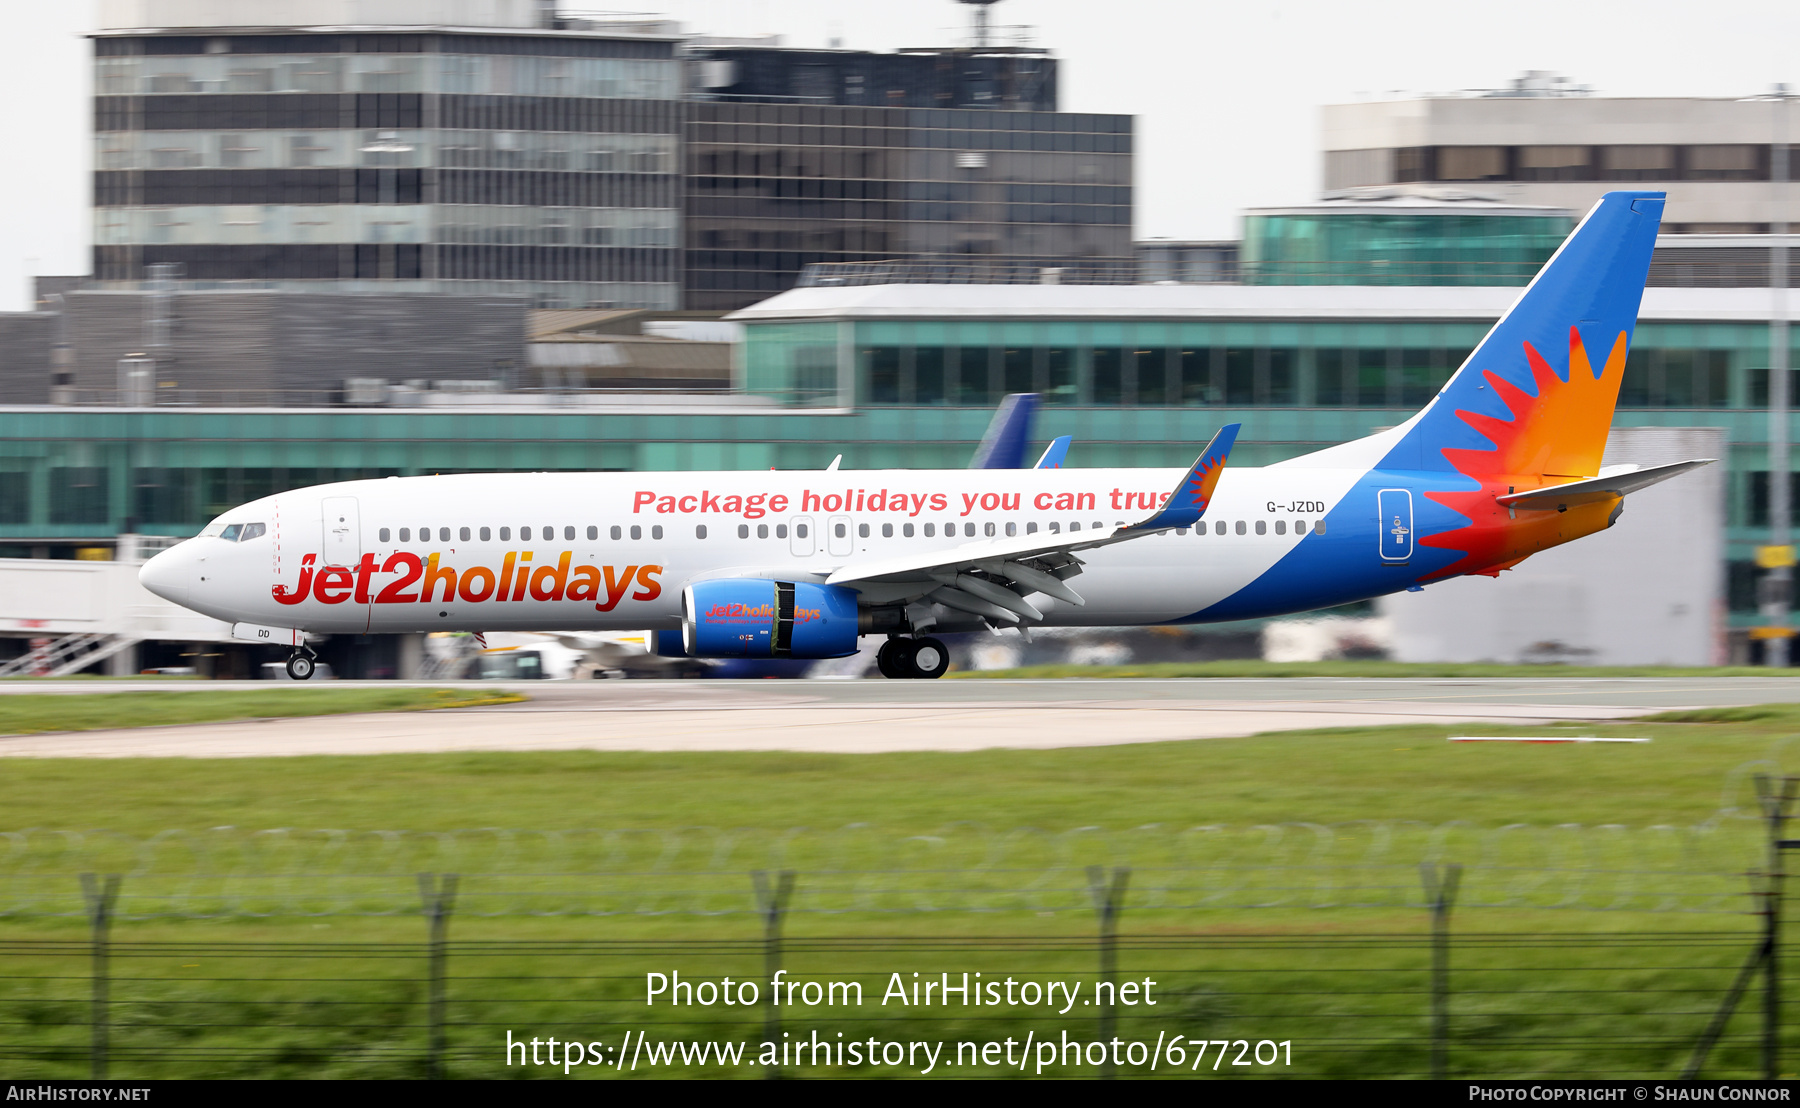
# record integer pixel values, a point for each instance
(1527, 411)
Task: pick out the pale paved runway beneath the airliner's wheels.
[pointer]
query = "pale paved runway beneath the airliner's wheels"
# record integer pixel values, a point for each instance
(870, 717)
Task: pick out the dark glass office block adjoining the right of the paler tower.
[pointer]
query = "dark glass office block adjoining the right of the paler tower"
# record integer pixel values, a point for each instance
(955, 161)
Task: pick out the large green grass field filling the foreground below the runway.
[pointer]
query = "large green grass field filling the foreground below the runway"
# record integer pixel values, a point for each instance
(1626, 992)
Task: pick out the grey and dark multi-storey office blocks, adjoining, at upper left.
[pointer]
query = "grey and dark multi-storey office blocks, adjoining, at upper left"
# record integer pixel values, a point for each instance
(579, 163)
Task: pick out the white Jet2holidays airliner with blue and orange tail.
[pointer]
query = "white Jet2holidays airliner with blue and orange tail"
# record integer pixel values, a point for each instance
(1502, 463)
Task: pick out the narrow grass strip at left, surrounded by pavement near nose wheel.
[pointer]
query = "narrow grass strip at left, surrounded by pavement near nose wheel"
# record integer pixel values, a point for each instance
(31, 713)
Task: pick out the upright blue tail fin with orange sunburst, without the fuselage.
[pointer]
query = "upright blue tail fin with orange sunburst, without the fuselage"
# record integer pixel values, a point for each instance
(1536, 398)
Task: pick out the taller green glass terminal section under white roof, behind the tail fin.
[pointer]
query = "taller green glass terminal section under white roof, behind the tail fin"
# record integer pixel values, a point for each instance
(1146, 393)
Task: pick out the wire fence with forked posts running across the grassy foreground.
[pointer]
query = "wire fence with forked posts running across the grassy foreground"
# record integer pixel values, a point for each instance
(1327, 951)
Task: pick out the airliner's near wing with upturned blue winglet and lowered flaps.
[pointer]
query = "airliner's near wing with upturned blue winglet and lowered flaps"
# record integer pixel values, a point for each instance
(1016, 567)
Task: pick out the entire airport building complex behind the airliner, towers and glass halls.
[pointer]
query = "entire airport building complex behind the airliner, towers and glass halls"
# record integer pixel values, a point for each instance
(1003, 267)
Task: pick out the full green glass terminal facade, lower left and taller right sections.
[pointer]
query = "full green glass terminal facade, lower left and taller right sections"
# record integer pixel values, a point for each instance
(885, 395)
